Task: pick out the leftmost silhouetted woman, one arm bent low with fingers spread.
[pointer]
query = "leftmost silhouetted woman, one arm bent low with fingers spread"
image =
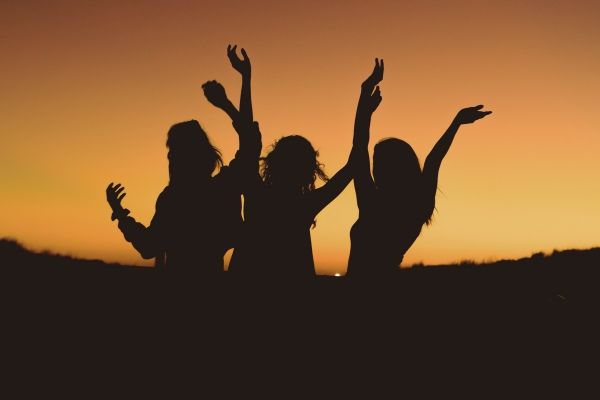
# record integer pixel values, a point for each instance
(198, 215)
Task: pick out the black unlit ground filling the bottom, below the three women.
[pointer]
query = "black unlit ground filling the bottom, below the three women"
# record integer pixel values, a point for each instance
(75, 318)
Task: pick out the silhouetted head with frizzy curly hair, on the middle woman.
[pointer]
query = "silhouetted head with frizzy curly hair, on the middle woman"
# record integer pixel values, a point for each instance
(292, 165)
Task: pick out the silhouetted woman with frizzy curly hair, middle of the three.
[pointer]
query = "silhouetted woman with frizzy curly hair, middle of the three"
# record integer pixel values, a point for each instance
(281, 202)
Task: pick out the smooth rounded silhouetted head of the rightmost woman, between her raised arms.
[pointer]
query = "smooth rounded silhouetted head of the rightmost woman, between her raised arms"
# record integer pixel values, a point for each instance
(396, 167)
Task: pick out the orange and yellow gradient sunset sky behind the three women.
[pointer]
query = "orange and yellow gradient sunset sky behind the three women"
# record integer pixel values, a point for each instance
(89, 89)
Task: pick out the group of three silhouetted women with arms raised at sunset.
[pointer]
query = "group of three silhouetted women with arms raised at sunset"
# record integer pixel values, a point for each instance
(199, 214)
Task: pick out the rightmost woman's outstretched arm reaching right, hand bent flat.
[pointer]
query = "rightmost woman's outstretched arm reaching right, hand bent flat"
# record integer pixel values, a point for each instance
(434, 160)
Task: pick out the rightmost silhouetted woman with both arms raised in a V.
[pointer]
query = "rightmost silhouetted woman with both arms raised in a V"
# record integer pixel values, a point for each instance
(399, 198)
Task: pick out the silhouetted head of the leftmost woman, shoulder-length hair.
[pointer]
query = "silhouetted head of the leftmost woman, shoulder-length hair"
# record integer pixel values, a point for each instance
(191, 155)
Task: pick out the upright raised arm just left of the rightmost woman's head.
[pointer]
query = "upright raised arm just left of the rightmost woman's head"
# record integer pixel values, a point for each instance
(370, 97)
